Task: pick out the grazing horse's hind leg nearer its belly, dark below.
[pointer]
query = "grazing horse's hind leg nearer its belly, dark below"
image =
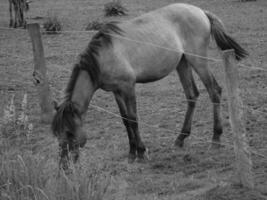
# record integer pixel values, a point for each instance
(191, 92)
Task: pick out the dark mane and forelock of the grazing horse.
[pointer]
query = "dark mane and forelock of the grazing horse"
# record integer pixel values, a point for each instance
(88, 62)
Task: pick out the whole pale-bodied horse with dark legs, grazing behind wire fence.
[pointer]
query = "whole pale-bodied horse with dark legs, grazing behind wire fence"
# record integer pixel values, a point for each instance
(114, 61)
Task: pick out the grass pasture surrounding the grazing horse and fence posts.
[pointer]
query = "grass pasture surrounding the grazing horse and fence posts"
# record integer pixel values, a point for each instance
(29, 157)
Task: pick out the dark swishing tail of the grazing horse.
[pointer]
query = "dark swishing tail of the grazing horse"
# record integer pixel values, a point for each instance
(223, 40)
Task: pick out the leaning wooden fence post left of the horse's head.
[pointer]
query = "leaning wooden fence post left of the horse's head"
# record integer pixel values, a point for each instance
(39, 73)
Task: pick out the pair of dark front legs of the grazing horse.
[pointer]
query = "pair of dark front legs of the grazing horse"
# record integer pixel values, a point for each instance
(126, 100)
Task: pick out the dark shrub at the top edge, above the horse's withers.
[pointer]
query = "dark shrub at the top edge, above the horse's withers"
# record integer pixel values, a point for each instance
(114, 8)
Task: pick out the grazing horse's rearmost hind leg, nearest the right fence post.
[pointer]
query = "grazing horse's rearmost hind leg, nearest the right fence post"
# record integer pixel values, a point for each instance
(214, 90)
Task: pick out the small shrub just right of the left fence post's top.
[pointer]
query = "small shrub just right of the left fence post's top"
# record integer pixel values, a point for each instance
(52, 25)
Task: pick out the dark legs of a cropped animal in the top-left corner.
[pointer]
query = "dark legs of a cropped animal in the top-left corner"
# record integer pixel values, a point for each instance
(19, 7)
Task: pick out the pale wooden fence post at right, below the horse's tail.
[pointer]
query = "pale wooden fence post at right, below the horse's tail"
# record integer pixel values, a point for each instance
(242, 154)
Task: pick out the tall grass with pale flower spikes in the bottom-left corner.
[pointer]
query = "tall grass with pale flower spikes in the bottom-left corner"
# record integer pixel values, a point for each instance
(29, 166)
